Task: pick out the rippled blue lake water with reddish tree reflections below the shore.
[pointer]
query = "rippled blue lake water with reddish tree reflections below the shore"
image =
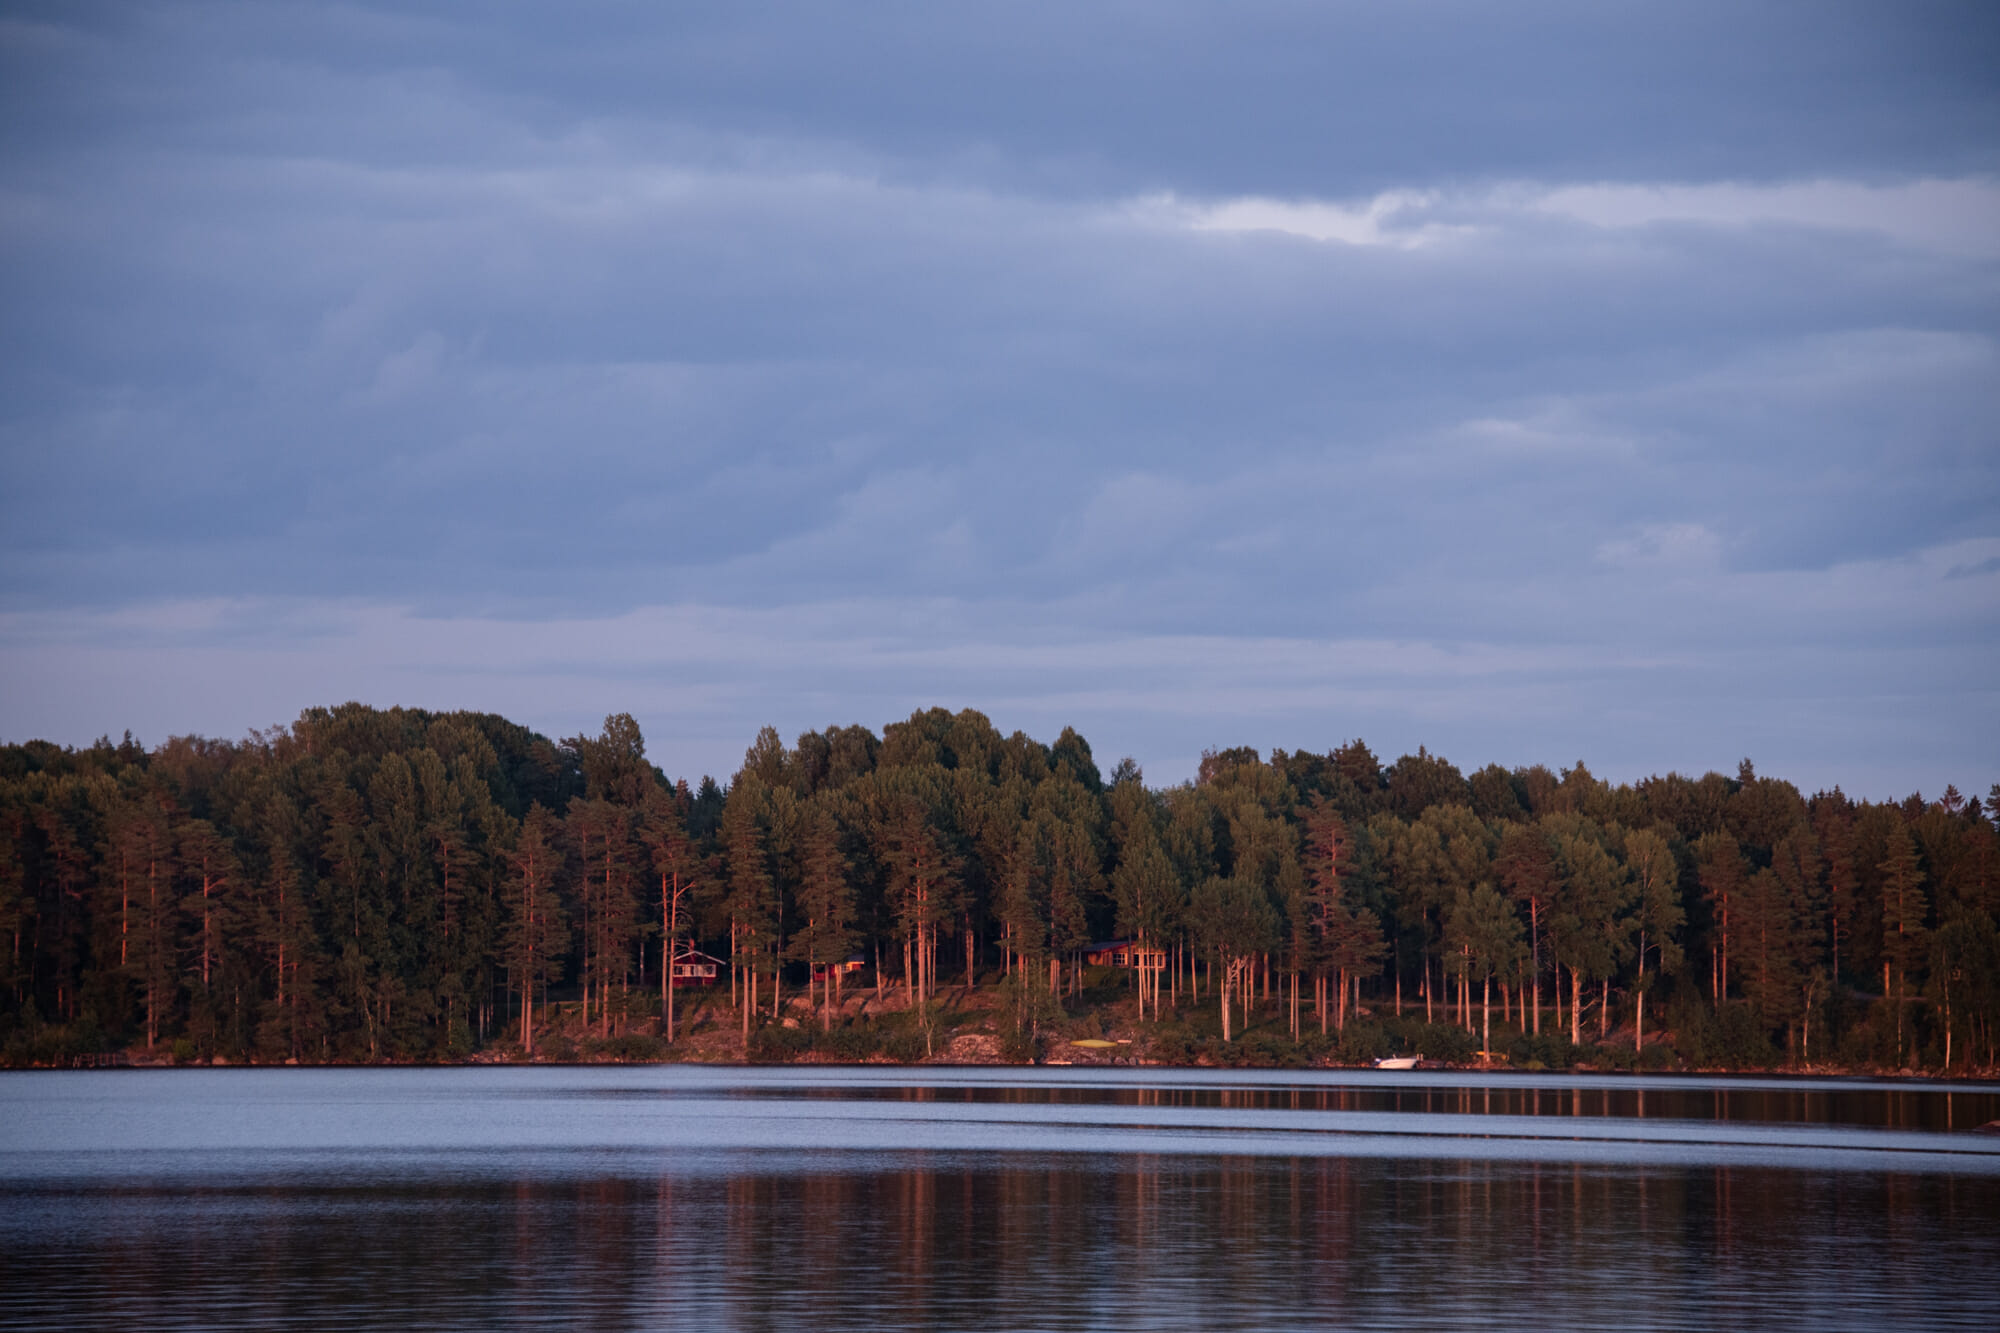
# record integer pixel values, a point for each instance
(683, 1198)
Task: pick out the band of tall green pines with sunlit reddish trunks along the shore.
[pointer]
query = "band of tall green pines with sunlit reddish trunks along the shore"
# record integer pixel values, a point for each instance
(371, 886)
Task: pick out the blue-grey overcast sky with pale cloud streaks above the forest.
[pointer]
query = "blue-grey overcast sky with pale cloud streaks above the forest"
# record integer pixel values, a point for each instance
(1527, 381)
